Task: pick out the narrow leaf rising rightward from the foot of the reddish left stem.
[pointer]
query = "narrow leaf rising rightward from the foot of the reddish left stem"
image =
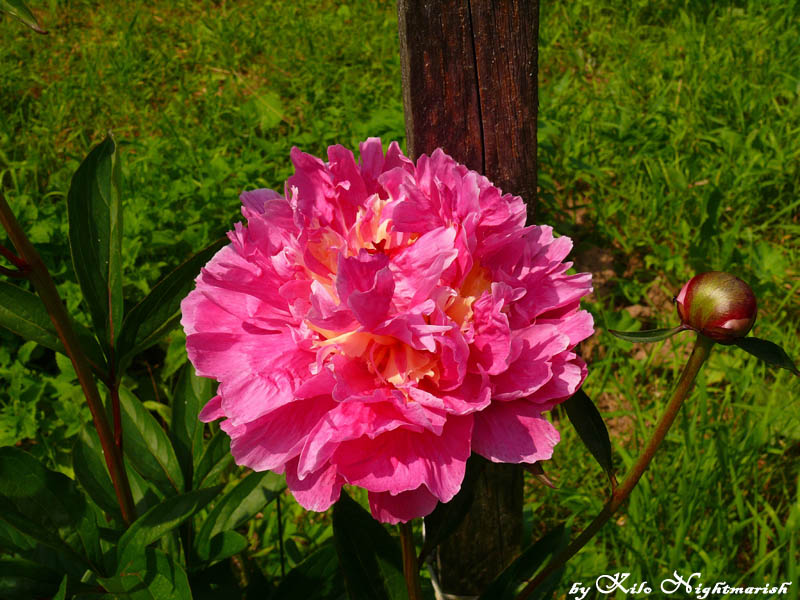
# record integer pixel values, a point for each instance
(159, 520)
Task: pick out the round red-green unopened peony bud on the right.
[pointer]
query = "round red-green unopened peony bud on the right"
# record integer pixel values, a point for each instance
(718, 305)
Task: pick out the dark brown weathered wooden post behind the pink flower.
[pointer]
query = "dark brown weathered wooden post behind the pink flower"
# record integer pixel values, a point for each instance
(469, 72)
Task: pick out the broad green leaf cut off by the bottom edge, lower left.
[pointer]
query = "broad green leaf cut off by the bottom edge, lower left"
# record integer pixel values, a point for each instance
(154, 575)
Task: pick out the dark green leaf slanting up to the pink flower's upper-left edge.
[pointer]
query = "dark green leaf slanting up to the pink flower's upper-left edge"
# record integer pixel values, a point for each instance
(159, 312)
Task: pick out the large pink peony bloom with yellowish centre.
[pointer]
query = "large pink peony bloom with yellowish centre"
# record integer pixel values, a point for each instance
(382, 321)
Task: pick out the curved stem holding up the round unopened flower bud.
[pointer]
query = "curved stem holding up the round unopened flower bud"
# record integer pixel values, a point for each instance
(700, 352)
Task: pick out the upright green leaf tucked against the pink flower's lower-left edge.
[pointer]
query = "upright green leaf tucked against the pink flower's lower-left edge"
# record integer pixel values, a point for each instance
(190, 395)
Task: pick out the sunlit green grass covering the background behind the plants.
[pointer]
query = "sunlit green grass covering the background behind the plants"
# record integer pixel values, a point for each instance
(668, 145)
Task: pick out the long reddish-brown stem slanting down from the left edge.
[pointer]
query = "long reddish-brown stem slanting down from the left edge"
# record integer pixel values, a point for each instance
(43, 283)
